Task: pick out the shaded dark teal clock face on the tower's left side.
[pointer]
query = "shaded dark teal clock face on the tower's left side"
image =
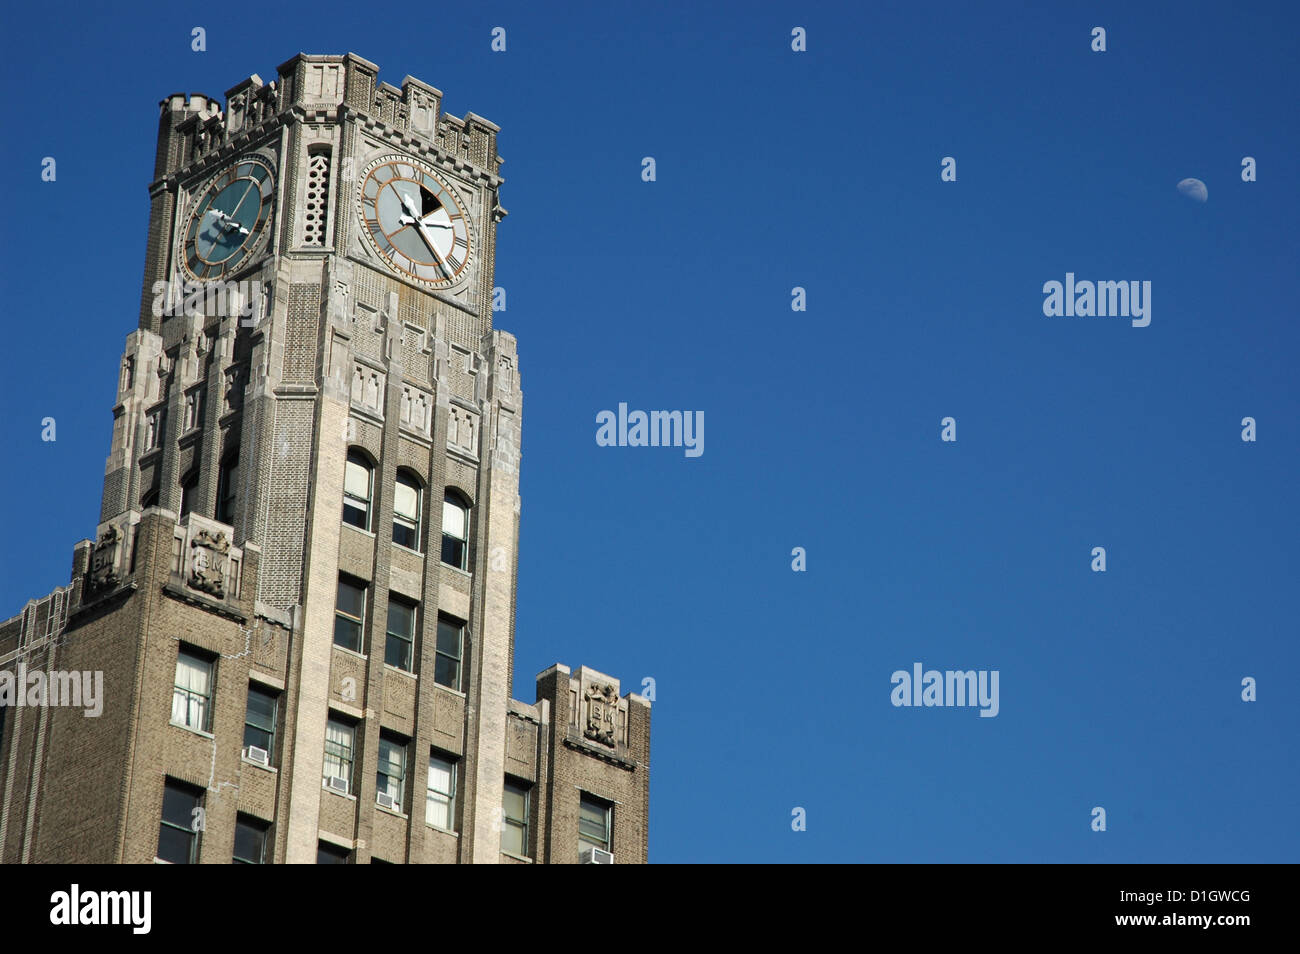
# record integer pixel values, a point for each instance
(229, 220)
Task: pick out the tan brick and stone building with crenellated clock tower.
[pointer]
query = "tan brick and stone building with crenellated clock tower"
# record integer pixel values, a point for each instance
(301, 596)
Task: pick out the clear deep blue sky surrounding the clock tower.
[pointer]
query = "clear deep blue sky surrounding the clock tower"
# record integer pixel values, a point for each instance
(925, 300)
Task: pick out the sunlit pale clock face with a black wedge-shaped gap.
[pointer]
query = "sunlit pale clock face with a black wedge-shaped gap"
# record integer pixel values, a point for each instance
(415, 222)
